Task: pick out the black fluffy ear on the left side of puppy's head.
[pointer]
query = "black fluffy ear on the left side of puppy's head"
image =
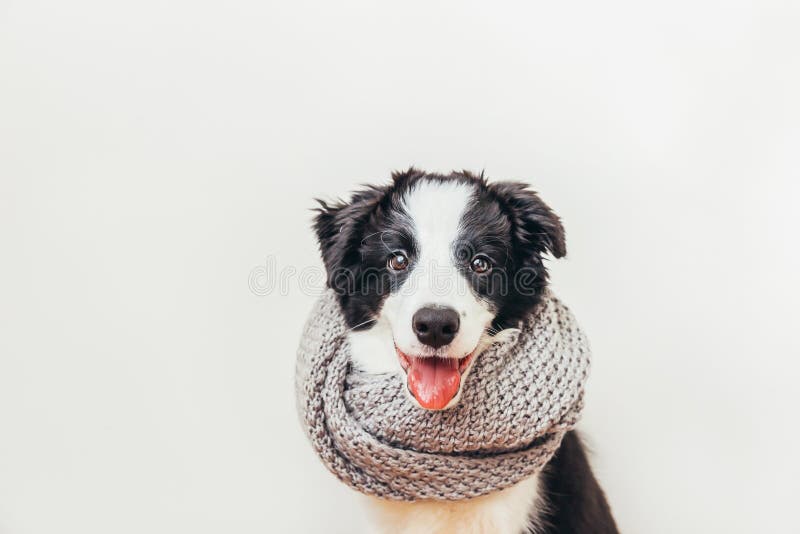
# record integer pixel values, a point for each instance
(338, 228)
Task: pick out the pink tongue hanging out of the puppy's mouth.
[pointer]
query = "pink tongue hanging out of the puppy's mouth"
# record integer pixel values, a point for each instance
(433, 381)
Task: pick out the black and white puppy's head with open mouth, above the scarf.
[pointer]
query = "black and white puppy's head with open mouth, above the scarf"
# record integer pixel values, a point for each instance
(430, 268)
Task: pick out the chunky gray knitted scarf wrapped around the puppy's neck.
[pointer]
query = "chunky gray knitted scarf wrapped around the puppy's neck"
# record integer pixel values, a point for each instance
(522, 395)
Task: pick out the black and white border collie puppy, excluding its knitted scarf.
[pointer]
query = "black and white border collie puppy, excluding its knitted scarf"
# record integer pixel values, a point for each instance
(429, 270)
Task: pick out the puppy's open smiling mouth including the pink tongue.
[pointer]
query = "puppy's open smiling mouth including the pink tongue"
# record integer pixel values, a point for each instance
(434, 380)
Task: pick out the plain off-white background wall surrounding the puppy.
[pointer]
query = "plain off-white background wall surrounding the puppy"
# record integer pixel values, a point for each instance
(154, 153)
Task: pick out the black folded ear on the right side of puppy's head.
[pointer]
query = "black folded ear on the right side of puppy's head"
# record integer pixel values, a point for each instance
(534, 224)
